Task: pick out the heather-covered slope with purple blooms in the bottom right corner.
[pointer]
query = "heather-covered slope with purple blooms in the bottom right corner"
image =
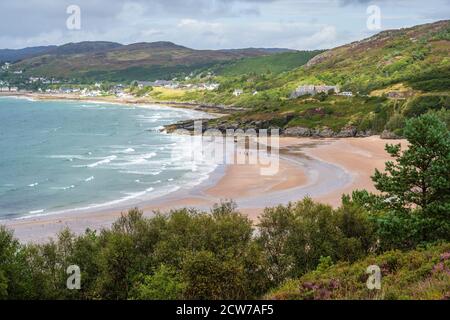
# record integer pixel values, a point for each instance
(418, 274)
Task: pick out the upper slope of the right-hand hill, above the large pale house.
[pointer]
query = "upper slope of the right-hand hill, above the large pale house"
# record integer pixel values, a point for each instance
(411, 56)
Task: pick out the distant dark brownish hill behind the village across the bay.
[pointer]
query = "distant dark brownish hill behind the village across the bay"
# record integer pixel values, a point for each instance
(116, 62)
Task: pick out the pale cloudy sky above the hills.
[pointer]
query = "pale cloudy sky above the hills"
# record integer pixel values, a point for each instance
(211, 24)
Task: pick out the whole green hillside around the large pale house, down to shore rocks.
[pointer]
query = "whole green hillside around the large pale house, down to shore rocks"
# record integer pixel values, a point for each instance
(389, 75)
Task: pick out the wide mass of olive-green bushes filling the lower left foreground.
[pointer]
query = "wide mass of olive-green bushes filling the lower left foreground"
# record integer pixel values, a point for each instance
(185, 254)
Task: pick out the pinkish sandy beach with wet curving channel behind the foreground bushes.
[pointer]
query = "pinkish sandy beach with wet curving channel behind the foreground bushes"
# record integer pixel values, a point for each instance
(323, 169)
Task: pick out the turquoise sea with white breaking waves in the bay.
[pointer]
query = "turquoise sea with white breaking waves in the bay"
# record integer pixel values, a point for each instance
(60, 155)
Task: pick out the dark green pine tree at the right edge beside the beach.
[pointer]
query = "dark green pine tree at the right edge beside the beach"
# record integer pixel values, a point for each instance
(414, 206)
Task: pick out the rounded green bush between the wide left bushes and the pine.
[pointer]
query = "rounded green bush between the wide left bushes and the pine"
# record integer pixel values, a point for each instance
(296, 236)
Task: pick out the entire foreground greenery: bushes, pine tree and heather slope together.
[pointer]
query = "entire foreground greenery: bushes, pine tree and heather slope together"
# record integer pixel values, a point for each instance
(189, 254)
